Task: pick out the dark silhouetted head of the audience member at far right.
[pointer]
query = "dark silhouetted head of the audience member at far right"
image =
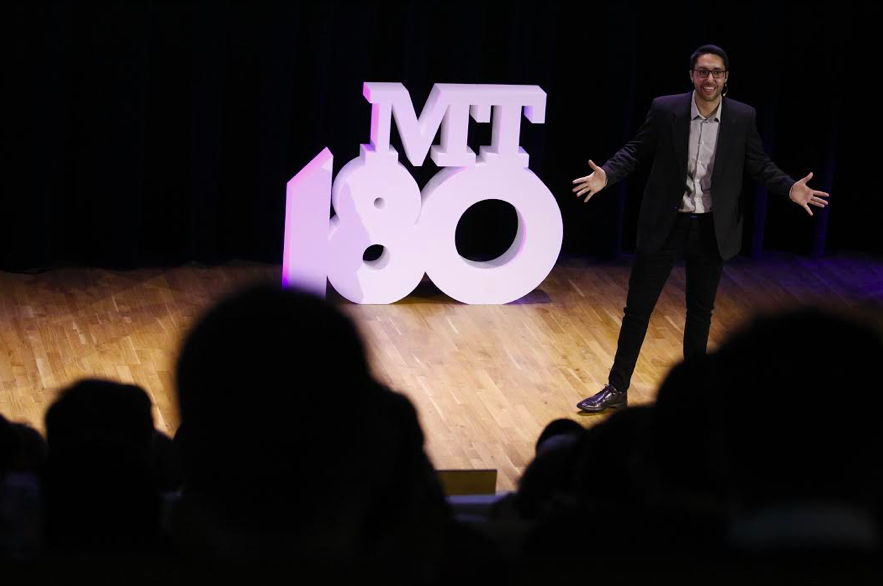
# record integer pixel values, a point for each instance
(799, 415)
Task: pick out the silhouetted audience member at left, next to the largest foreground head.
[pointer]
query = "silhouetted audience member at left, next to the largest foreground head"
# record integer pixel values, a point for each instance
(102, 494)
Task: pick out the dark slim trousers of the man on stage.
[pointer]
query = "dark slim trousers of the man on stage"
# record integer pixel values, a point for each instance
(693, 237)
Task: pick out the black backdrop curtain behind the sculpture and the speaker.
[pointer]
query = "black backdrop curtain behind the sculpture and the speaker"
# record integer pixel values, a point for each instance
(147, 132)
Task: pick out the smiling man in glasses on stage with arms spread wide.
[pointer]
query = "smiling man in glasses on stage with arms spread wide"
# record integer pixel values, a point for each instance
(700, 144)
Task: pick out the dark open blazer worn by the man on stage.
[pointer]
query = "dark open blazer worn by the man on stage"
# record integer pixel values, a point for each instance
(663, 139)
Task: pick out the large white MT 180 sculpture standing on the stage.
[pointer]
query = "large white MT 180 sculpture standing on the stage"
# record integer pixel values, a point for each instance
(377, 202)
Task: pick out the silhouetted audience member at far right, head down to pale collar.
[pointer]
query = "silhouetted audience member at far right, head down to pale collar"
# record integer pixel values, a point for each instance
(801, 433)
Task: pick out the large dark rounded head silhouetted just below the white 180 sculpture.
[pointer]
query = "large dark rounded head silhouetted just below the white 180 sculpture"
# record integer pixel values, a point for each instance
(266, 380)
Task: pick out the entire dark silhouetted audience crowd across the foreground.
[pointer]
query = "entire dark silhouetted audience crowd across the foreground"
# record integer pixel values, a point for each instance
(290, 450)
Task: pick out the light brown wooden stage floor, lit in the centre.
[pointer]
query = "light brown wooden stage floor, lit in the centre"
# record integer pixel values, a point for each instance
(485, 379)
